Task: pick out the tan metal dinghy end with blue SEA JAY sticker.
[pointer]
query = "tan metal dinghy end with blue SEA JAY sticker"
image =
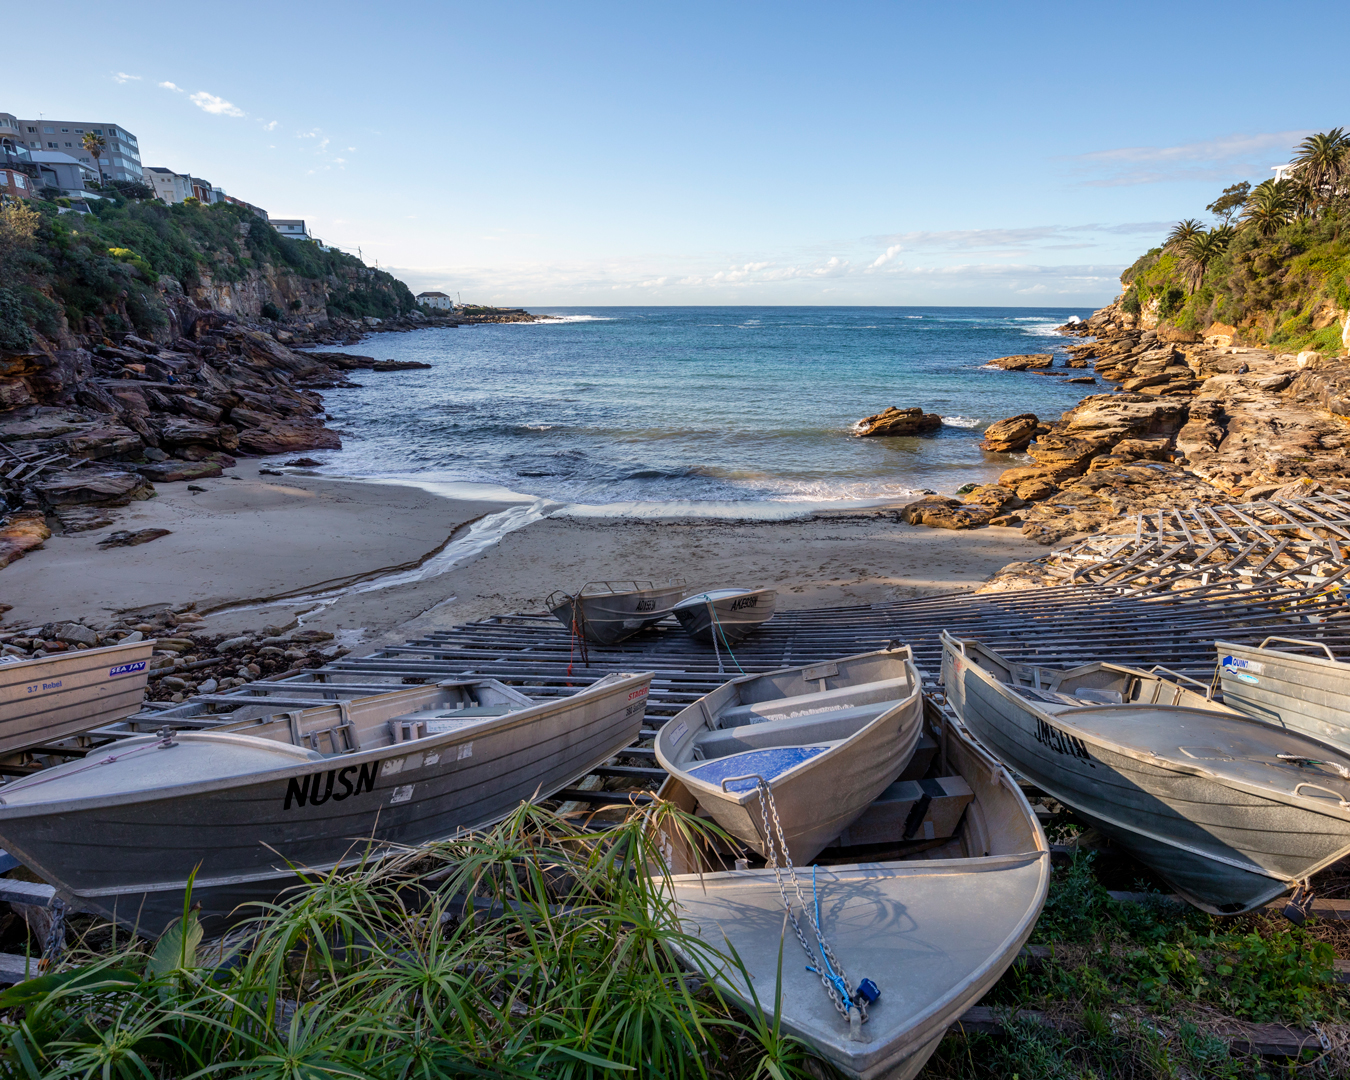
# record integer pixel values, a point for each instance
(71, 693)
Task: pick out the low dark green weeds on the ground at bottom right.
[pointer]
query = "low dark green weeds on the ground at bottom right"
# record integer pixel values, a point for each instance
(1143, 992)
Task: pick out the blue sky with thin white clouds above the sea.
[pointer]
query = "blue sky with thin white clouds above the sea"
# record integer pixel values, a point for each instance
(735, 153)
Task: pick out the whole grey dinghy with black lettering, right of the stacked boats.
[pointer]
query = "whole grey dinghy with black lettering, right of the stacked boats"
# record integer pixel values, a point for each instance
(1231, 811)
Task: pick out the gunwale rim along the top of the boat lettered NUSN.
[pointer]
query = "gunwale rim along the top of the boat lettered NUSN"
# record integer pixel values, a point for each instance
(492, 726)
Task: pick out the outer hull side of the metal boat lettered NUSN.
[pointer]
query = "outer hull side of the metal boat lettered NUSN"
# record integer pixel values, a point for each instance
(130, 858)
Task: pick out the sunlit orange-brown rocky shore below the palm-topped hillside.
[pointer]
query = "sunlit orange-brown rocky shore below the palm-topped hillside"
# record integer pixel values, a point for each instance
(1193, 422)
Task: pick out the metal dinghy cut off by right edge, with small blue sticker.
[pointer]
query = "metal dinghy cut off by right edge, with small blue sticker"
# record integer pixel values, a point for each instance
(1309, 695)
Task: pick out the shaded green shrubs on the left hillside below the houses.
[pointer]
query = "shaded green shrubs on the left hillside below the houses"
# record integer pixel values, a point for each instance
(105, 265)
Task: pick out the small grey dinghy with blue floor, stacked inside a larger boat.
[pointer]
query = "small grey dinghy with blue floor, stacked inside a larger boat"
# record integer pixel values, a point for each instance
(828, 739)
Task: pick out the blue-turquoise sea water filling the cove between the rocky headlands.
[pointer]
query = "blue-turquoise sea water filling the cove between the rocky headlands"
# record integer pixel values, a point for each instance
(711, 406)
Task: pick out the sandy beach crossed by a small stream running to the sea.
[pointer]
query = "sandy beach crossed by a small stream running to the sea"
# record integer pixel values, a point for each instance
(371, 558)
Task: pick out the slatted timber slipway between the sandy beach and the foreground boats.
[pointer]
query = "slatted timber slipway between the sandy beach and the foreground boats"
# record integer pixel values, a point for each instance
(1159, 595)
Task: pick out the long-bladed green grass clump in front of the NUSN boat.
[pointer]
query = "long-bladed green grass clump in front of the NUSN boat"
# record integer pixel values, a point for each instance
(529, 951)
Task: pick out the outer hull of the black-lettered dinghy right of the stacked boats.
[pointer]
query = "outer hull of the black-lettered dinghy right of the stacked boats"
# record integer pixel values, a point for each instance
(1226, 848)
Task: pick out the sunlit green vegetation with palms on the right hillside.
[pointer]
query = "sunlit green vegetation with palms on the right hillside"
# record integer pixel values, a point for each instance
(1280, 272)
